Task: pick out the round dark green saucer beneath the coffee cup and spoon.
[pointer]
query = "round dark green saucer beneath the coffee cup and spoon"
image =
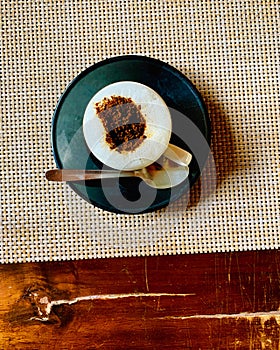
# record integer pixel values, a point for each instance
(190, 130)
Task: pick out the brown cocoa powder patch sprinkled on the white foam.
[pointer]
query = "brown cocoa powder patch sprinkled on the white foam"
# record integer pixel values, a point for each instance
(123, 122)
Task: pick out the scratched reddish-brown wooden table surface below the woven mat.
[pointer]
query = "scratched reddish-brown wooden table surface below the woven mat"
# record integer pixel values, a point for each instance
(209, 301)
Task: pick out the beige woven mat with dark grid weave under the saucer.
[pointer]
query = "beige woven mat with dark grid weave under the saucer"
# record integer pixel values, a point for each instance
(229, 50)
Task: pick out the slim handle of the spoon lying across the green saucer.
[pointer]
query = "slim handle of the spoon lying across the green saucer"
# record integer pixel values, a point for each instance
(61, 175)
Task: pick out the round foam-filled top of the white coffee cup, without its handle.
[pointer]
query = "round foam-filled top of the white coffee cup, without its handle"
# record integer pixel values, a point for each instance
(127, 125)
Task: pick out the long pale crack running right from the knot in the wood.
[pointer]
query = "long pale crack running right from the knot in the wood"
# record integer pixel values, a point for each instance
(44, 305)
